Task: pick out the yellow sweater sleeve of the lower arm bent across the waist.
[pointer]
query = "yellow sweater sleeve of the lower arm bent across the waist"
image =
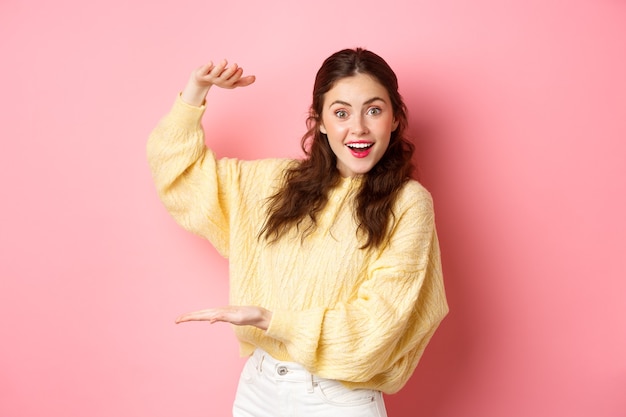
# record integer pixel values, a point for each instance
(380, 335)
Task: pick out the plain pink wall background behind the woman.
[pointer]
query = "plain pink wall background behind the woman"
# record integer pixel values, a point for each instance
(521, 110)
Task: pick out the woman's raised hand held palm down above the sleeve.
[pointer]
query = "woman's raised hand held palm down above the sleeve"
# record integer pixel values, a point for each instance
(208, 75)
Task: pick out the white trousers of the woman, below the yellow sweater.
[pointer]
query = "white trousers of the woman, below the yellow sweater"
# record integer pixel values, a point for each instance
(270, 388)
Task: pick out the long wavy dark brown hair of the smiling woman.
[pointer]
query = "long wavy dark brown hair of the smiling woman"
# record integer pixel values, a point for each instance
(307, 183)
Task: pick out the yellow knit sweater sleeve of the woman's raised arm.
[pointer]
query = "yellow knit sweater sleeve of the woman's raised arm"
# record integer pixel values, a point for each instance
(193, 185)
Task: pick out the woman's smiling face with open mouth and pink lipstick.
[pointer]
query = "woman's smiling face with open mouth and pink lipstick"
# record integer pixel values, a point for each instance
(357, 117)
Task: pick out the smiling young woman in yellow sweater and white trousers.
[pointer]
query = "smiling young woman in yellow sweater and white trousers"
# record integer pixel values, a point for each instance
(335, 272)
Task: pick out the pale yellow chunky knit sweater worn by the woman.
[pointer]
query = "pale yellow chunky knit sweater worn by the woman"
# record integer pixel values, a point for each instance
(363, 317)
